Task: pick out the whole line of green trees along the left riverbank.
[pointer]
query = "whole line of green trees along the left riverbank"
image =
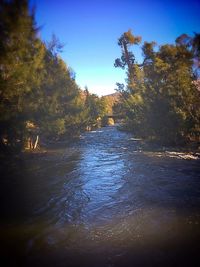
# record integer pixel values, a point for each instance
(39, 97)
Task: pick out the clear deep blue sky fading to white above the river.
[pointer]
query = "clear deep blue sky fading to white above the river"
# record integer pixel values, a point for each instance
(90, 29)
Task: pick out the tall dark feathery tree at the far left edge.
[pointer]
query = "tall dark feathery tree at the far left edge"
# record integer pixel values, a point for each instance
(20, 62)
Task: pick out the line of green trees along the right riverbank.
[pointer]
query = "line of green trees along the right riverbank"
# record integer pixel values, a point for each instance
(161, 98)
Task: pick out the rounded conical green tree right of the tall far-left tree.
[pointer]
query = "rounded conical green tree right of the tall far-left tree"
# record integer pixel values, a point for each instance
(57, 95)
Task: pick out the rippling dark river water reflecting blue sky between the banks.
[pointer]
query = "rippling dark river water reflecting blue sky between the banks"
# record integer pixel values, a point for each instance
(102, 201)
